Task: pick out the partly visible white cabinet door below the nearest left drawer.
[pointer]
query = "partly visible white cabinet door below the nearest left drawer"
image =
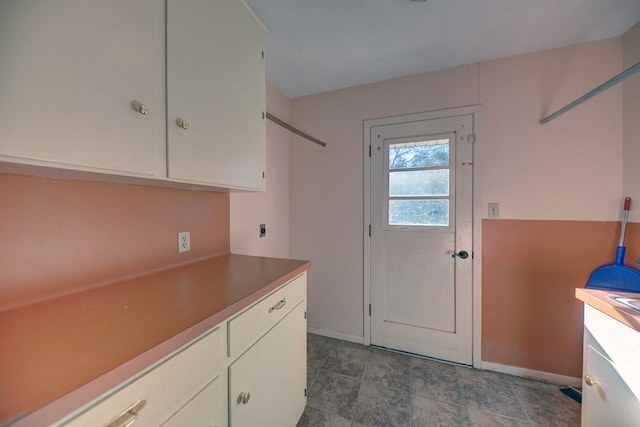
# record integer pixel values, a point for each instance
(206, 409)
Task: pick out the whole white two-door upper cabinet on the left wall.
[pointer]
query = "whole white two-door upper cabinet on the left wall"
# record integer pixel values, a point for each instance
(75, 72)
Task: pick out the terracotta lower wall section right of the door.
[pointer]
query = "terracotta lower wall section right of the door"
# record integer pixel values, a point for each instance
(530, 270)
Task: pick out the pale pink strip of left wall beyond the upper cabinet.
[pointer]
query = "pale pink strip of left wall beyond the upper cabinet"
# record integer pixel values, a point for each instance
(249, 210)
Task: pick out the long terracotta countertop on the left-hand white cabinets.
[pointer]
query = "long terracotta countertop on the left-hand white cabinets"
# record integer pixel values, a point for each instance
(60, 354)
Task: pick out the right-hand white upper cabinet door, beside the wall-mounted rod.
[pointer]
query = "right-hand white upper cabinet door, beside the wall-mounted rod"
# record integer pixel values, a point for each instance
(215, 94)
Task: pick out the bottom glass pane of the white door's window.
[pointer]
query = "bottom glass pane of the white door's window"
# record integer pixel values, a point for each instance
(433, 212)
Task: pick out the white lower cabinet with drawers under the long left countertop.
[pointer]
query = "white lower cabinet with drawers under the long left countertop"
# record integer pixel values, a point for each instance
(260, 380)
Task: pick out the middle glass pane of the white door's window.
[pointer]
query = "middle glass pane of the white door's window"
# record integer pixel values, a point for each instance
(419, 183)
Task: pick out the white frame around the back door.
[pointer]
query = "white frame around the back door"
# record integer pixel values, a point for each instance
(475, 112)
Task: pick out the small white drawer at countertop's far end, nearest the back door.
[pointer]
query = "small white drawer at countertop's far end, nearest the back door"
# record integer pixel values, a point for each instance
(245, 328)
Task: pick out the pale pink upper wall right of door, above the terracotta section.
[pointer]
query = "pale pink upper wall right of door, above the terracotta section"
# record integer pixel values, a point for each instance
(569, 168)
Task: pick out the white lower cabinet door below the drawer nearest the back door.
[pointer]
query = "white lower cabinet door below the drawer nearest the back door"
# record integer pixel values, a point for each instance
(267, 383)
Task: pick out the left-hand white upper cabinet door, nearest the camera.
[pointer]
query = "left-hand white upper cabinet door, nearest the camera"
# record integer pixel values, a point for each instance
(70, 73)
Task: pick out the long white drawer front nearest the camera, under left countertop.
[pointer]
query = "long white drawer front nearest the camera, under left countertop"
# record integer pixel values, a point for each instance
(166, 387)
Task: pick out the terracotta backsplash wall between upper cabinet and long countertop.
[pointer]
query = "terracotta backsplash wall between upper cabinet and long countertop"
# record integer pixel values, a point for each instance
(61, 235)
